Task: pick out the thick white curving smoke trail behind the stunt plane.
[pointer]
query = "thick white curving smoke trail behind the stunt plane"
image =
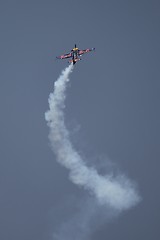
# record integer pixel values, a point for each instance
(116, 192)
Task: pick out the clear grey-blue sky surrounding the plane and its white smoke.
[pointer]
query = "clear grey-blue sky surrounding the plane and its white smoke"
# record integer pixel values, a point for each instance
(112, 111)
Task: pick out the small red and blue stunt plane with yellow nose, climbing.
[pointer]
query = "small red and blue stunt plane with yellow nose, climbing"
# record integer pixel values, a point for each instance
(75, 54)
